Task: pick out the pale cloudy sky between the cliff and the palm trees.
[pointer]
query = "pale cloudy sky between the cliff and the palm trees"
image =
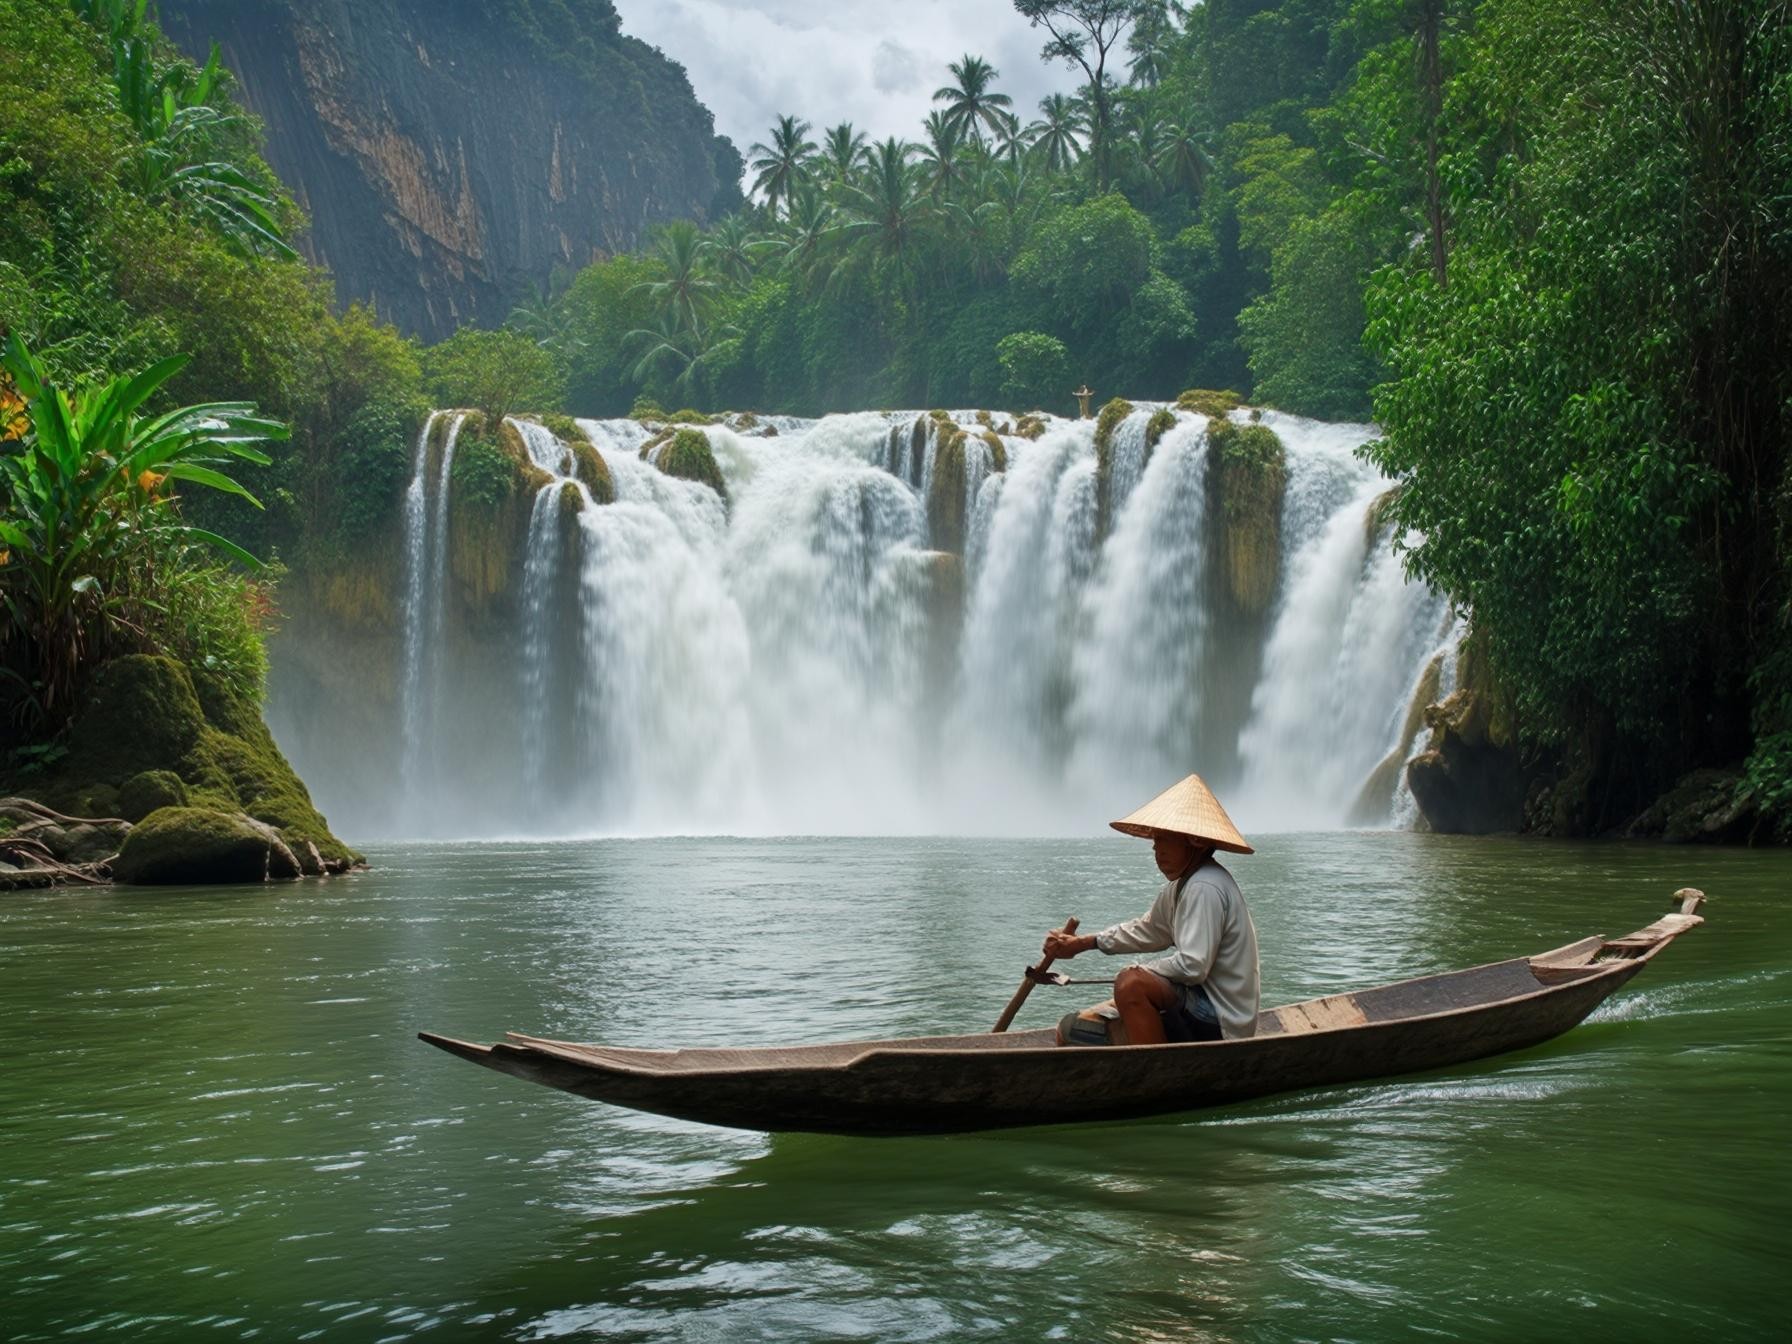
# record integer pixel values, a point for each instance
(874, 64)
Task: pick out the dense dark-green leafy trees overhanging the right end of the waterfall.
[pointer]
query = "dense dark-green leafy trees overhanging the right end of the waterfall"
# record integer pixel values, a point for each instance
(1592, 402)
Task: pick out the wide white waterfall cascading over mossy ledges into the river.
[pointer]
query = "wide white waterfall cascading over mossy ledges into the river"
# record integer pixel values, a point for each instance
(773, 662)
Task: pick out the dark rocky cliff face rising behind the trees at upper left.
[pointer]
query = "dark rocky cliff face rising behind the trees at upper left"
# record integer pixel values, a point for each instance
(452, 153)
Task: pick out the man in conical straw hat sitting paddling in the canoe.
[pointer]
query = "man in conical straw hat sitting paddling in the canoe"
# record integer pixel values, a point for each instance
(1207, 988)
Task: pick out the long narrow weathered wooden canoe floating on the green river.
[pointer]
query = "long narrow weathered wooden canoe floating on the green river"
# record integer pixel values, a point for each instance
(988, 1081)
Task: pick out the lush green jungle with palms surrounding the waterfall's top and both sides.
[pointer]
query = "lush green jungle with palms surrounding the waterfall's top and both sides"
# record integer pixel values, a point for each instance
(1546, 245)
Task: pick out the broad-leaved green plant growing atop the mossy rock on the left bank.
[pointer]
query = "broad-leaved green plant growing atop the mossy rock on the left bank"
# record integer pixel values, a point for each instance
(87, 488)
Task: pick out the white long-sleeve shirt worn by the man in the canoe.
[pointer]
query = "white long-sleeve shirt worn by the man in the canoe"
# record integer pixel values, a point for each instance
(1212, 943)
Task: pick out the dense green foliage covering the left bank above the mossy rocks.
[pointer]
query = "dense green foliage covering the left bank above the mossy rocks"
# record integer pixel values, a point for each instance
(137, 220)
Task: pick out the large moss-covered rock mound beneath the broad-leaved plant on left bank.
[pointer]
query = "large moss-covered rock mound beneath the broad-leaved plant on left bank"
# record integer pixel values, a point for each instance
(146, 714)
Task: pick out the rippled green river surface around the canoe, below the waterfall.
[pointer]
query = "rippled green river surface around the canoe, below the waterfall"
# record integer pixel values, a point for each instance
(220, 1124)
